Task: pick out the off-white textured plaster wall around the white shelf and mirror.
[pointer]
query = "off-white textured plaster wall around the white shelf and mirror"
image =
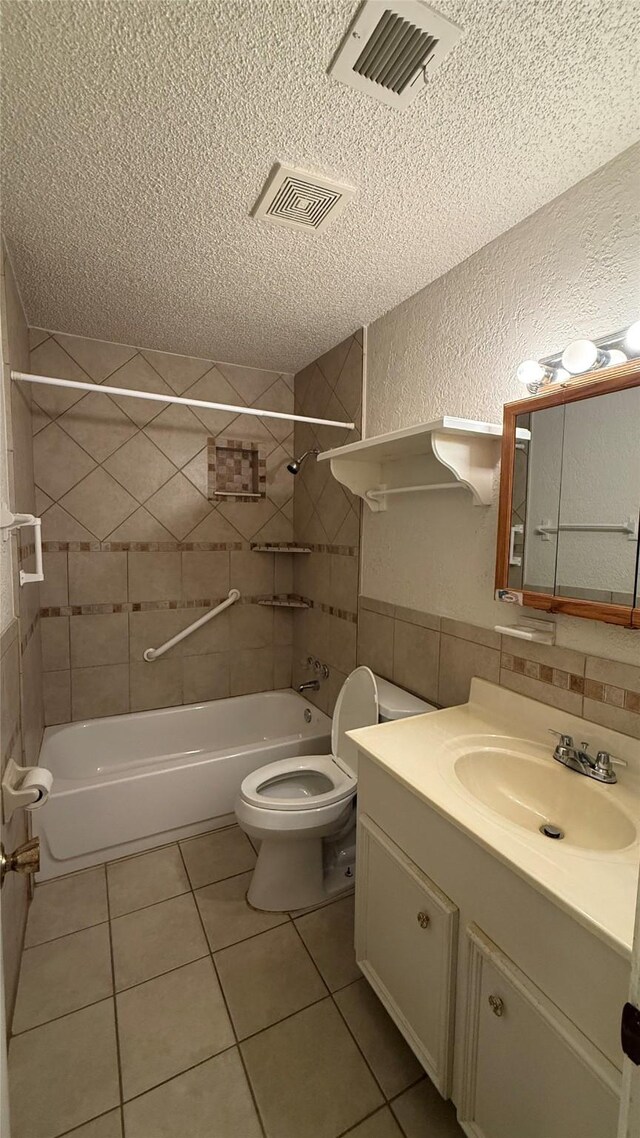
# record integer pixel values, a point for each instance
(570, 270)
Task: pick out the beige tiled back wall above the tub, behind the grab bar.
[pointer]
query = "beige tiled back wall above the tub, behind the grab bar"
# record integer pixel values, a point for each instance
(135, 549)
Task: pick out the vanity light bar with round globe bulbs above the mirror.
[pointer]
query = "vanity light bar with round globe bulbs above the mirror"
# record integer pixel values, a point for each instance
(579, 358)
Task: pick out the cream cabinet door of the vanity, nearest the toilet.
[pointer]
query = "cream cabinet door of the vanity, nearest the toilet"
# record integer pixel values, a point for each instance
(406, 938)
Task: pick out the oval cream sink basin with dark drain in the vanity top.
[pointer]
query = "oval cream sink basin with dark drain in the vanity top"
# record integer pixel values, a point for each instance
(534, 794)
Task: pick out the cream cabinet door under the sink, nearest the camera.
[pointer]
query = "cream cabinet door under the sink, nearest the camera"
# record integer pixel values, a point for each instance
(528, 1070)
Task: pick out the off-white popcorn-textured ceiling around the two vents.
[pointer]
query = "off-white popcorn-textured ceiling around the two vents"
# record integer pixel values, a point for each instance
(138, 135)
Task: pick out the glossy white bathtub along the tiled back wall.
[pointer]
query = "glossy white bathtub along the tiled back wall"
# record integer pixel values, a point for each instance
(127, 784)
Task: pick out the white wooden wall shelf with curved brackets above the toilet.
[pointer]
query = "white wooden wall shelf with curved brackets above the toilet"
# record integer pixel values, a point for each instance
(446, 455)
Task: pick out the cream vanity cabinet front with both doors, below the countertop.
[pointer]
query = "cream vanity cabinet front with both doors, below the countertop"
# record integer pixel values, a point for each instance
(512, 1007)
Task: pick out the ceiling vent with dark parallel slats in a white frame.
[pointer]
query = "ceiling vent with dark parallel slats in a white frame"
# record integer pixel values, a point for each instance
(391, 48)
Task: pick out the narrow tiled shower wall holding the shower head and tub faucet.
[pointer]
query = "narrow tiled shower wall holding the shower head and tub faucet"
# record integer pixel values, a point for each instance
(327, 521)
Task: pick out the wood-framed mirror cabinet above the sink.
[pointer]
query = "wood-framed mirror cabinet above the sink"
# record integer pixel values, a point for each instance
(570, 499)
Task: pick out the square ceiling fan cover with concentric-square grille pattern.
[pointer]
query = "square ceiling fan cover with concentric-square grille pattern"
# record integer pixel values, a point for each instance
(299, 200)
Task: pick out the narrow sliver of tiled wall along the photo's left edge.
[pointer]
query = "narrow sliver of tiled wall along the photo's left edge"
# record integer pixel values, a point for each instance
(21, 678)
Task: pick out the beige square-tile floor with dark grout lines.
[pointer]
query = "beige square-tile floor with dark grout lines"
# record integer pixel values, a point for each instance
(154, 1003)
